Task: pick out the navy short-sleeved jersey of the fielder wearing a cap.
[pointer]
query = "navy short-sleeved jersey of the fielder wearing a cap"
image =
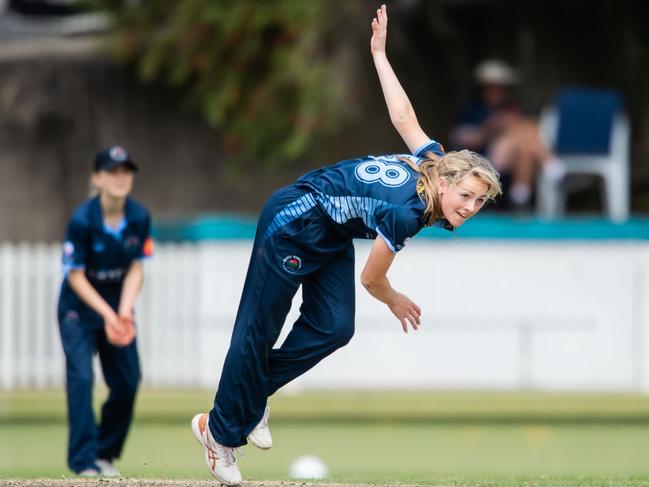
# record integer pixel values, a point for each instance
(105, 253)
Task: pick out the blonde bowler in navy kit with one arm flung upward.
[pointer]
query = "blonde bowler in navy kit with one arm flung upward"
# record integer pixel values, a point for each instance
(304, 237)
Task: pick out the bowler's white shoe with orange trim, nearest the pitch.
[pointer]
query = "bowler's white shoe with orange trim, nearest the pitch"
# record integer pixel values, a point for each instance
(220, 459)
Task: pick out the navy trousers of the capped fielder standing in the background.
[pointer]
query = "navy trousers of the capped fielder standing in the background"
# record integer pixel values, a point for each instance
(88, 441)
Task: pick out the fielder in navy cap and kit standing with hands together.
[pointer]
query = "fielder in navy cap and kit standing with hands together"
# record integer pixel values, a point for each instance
(106, 239)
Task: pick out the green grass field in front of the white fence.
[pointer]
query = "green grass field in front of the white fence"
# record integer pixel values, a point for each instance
(423, 438)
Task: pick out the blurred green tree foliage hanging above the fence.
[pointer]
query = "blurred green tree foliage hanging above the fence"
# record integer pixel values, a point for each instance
(259, 71)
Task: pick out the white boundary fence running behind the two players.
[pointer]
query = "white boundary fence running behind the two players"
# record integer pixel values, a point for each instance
(497, 315)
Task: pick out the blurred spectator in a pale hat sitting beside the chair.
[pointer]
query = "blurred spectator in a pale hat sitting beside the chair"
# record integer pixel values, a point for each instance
(496, 126)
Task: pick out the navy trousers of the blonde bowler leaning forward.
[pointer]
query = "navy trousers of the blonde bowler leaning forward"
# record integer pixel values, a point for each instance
(306, 251)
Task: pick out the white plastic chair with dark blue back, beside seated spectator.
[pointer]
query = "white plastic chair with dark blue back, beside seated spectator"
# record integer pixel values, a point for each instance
(588, 132)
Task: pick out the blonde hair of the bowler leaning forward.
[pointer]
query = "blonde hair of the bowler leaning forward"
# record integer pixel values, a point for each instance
(453, 167)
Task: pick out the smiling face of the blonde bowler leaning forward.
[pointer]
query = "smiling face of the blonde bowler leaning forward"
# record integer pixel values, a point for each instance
(462, 200)
